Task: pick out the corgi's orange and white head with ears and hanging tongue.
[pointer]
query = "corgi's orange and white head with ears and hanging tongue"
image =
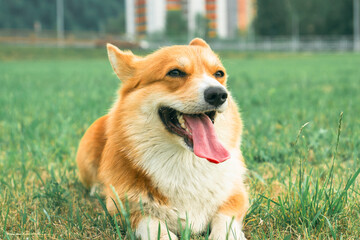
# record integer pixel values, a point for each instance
(176, 92)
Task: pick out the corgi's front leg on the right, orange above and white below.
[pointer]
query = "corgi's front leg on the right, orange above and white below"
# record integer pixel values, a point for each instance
(227, 223)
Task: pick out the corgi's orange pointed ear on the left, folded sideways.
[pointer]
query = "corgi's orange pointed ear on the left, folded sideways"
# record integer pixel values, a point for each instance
(122, 62)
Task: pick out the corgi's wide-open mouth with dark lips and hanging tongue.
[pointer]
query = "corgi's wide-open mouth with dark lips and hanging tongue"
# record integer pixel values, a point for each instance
(198, 132)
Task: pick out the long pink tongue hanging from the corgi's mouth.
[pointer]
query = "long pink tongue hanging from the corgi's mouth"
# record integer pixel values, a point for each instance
(206, 144)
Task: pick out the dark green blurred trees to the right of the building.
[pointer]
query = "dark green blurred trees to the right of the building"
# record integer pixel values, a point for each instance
(311, 17)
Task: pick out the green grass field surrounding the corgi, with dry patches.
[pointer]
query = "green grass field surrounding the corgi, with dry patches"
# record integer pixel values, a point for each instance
(303, 180)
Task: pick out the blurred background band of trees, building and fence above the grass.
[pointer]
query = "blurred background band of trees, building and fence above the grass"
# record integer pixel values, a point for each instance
(280, 25)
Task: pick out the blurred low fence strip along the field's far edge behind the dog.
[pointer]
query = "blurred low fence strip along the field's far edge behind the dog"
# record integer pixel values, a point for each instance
(98, 39)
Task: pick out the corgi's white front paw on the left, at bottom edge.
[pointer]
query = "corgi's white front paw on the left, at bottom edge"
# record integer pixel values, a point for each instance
(148, 229)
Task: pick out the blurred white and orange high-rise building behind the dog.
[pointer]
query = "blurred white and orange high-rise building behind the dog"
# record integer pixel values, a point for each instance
(224, 18)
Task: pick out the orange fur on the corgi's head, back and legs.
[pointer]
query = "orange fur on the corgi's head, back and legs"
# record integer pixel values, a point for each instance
(109, 152)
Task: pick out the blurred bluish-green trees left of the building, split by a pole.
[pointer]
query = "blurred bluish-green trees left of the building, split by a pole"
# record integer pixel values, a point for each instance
(83, 15)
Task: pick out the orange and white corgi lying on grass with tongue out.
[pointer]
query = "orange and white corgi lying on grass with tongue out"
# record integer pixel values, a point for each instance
(172, 142)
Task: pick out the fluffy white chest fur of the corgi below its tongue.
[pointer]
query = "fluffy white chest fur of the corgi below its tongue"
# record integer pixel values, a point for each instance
(194, 187)
